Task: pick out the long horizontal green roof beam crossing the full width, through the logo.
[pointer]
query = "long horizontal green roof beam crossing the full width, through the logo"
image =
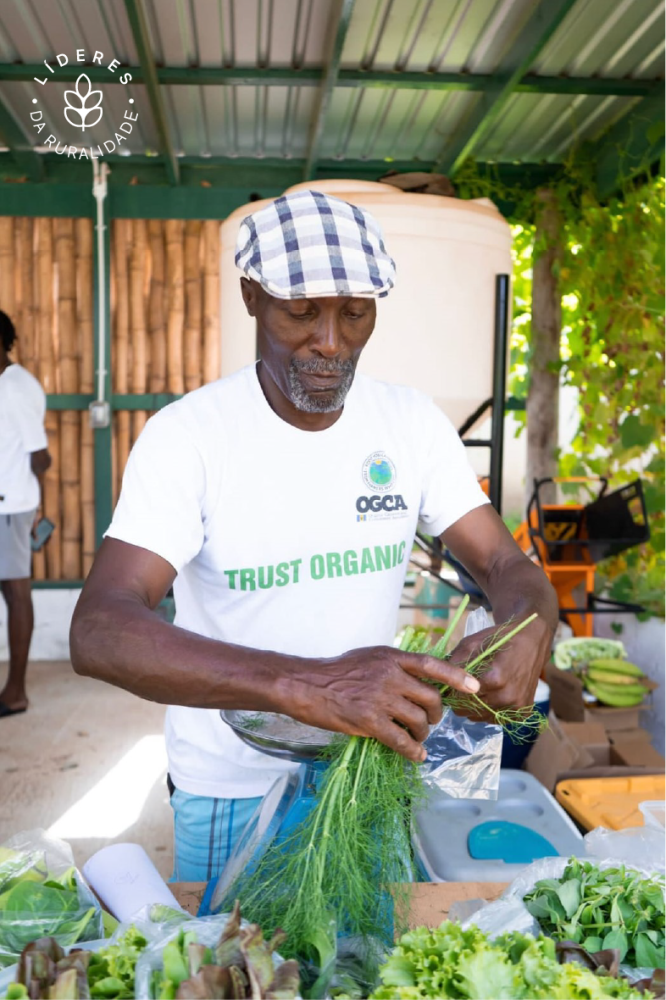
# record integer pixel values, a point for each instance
(252, 76)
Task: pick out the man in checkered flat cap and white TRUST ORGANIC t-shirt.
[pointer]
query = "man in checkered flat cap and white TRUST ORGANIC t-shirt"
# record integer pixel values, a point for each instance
(282, 502)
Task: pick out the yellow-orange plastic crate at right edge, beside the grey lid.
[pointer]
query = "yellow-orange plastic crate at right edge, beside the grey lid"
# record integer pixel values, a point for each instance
(609, 802)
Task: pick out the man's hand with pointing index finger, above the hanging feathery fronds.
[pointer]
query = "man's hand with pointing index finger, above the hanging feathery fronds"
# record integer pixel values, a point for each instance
(378, 692)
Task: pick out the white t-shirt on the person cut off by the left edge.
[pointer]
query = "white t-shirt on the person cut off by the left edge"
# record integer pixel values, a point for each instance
(22, 409)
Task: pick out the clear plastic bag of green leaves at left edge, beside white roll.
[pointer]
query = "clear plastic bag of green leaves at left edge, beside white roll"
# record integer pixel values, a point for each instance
(43, 894)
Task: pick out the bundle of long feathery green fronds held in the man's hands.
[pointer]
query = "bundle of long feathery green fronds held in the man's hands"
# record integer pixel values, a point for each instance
(332, 875)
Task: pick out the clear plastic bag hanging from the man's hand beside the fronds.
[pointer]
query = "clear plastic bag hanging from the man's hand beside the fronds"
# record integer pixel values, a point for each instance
(464, 756)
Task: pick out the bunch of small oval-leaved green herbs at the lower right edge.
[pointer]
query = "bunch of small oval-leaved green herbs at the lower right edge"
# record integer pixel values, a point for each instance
(605, 908)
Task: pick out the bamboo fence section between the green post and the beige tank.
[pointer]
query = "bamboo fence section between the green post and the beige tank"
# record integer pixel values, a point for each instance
(165, 297)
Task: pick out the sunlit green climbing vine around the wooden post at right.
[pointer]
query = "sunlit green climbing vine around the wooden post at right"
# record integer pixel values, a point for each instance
(613, 283)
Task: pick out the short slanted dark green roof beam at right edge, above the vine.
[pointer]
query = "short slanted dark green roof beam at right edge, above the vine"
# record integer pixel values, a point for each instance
(633, 144)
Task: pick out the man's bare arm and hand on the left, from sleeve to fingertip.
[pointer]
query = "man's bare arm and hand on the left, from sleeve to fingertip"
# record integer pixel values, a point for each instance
(117, 637)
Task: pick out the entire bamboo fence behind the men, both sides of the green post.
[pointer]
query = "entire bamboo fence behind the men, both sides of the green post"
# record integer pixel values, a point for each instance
(165, 338)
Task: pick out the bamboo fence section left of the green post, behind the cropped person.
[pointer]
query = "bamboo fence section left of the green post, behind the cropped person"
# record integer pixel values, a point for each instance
(46, 288)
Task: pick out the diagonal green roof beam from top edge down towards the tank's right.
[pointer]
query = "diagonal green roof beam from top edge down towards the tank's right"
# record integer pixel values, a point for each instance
(541, 26)
